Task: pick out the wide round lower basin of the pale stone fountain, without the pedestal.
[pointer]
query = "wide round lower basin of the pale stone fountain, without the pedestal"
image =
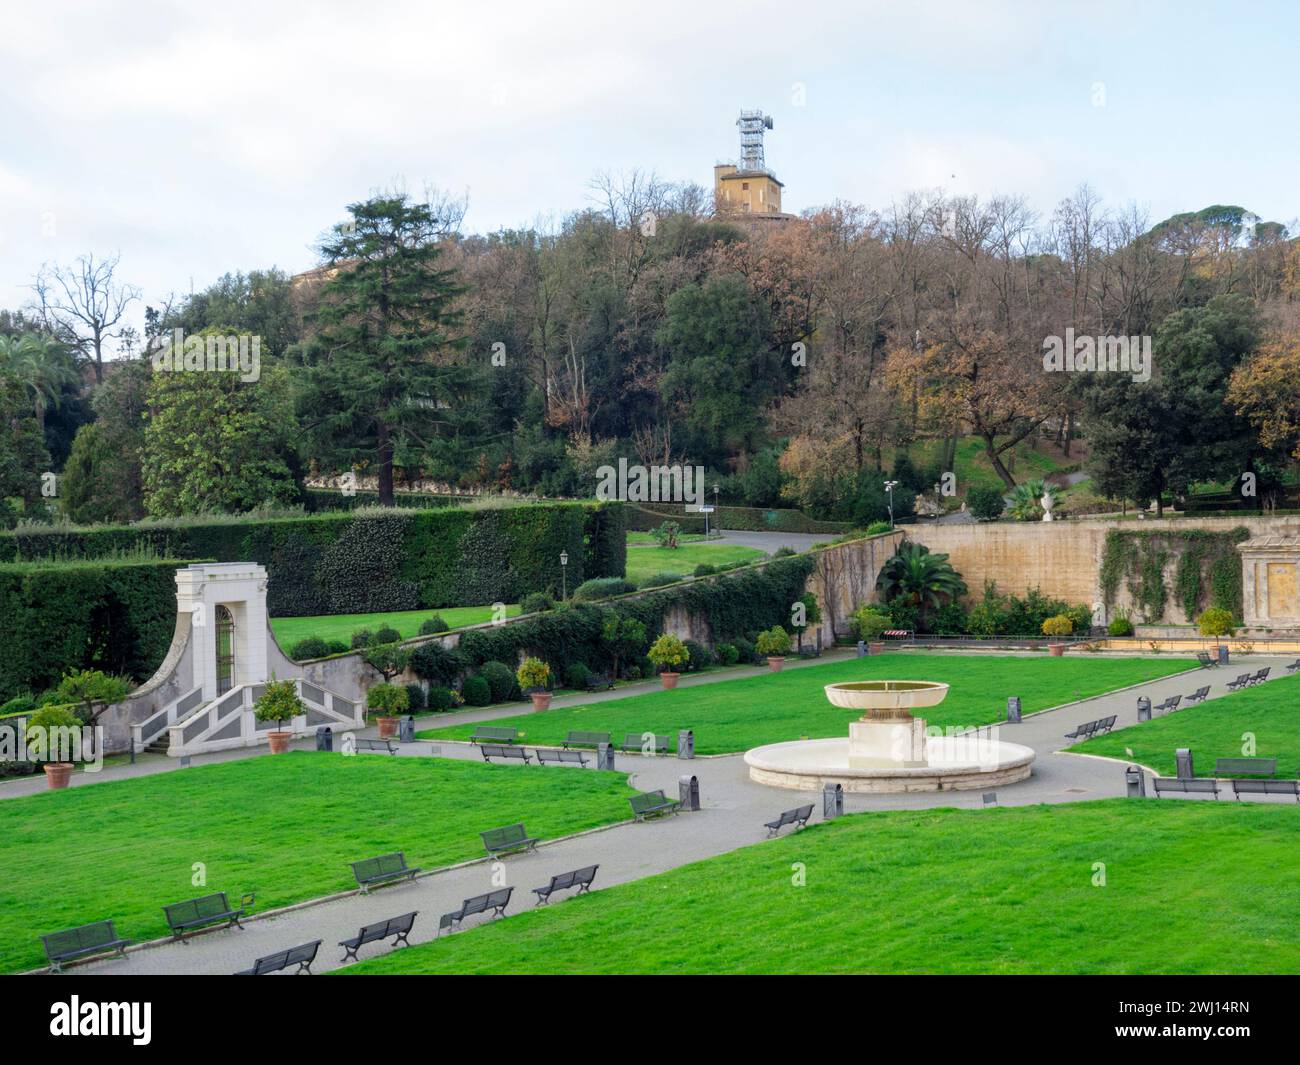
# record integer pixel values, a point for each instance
(952, 764)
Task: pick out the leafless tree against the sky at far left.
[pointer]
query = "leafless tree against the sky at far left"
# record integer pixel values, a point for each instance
(85, 305)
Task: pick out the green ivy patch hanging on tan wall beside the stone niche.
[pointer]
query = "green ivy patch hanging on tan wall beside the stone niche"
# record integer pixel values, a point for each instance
(1172, 574)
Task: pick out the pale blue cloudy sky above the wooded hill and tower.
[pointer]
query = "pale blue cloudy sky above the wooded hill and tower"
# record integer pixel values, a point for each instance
(194, 140)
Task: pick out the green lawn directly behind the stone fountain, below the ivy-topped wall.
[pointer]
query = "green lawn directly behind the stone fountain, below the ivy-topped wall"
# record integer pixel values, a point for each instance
(768, 709)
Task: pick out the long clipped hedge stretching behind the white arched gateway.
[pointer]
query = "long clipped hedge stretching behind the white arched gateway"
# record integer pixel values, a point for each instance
(372, 561)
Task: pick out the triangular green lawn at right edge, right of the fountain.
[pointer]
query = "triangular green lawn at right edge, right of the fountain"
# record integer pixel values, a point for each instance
(1220, 729)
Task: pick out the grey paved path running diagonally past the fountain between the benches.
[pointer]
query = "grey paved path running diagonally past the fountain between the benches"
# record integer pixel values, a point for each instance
(734, 811)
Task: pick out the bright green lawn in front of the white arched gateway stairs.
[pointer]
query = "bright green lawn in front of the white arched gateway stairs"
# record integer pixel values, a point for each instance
(284, 826)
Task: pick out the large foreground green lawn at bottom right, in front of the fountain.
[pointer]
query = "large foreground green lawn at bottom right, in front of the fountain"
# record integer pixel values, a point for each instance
(1190, 887)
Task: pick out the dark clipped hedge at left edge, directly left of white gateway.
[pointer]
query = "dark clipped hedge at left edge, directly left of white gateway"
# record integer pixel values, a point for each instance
(112, 616)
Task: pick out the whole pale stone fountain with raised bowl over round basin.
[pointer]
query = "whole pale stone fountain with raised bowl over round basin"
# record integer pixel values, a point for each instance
(889, 750)
